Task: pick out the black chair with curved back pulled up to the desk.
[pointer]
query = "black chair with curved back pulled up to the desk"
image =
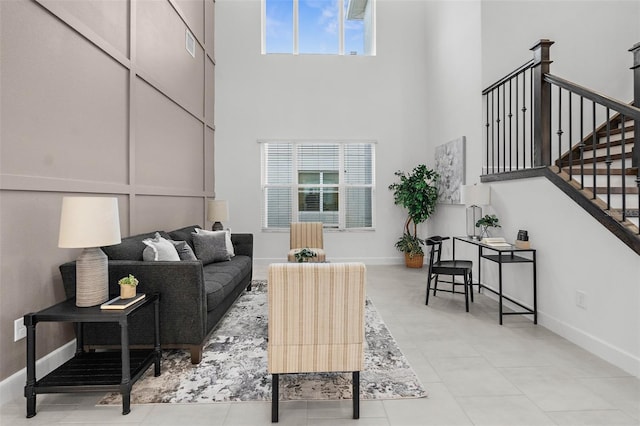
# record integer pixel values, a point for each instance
(438, 267)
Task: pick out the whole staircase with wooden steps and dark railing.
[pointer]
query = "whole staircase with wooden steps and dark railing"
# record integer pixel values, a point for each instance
(539, 124)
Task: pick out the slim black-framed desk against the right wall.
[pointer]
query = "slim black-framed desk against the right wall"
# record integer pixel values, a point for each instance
(504, 255)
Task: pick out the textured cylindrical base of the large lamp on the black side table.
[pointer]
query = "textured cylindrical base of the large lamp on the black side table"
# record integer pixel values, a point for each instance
(92, 278)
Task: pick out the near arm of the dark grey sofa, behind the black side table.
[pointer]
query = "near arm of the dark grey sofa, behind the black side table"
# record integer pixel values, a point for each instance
(183, 303)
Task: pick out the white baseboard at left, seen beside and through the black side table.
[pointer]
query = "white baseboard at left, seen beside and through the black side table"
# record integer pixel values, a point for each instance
(12, 388)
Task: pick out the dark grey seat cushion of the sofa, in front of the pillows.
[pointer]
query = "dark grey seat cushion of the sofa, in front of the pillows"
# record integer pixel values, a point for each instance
(222, 277)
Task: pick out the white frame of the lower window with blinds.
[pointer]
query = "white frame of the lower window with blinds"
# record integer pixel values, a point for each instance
(295, 186)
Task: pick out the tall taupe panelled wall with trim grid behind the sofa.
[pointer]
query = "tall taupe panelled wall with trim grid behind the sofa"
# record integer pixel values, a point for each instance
(98, 97)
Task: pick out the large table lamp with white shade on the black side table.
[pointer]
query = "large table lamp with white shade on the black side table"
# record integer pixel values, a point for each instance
(89, 223)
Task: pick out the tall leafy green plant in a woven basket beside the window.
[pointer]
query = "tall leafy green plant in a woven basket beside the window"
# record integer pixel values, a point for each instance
(418, 193)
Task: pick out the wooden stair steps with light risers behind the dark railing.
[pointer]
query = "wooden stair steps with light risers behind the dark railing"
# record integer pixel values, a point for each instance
(603, 166)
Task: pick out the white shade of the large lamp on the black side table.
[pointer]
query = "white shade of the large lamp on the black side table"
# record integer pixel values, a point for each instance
(89, 222)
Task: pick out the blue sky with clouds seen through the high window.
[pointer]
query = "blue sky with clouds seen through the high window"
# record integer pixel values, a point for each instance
(318, 27)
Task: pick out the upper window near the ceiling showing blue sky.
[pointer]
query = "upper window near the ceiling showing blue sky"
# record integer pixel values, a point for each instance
(335, 27)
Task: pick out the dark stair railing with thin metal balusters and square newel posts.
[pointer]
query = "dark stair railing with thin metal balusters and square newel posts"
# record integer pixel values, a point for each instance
(522, 108)
